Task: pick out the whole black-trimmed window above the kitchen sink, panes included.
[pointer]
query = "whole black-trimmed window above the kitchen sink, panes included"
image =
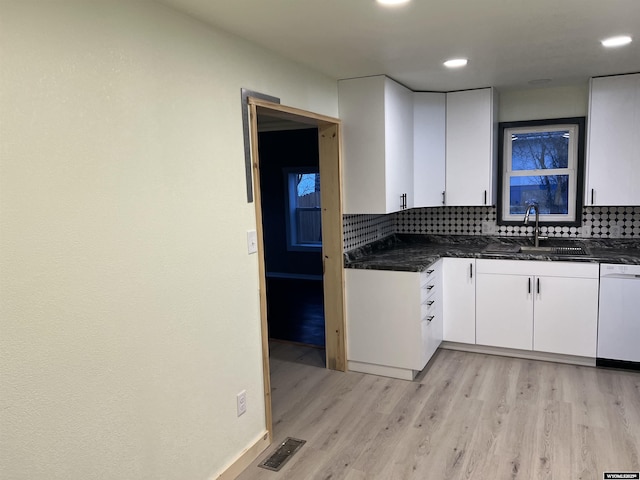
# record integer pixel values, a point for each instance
(541, 163)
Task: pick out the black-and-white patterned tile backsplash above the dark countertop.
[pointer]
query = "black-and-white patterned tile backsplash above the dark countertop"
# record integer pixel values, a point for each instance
(597, 222)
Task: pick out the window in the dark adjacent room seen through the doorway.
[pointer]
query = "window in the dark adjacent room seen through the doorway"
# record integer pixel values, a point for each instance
(304, 225)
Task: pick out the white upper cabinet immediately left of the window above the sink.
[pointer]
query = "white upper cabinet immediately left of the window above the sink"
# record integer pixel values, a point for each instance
(471, 167)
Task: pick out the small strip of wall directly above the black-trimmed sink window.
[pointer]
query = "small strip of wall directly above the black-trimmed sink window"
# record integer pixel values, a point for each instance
(543, 103)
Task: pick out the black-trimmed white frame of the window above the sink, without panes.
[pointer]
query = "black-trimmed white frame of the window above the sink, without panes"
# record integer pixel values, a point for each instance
(576, 179)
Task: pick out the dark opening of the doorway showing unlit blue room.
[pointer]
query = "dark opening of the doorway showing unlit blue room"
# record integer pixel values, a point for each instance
(290, 196)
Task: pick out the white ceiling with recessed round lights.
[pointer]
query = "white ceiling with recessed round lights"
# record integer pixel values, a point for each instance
(509, 43)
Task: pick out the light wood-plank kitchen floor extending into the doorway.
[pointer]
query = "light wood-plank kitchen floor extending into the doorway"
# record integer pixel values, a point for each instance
(467, 416)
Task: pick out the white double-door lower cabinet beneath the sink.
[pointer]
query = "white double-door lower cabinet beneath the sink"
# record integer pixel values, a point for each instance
(542, 306)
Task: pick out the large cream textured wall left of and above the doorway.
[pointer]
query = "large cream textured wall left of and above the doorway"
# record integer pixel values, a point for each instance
(129, 306)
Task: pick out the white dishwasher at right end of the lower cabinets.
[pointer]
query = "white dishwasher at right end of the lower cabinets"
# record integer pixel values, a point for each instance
(619, 316)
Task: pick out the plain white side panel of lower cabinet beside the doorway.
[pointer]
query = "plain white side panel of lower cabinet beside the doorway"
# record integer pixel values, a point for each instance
(384, 318)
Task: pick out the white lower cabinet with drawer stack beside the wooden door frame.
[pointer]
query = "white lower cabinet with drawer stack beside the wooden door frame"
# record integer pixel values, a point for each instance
(394, 320)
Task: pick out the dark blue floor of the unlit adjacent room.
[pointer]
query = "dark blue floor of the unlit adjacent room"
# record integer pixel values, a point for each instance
(295, 310)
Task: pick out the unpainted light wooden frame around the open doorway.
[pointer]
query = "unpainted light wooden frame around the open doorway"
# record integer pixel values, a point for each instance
(329, 143)
